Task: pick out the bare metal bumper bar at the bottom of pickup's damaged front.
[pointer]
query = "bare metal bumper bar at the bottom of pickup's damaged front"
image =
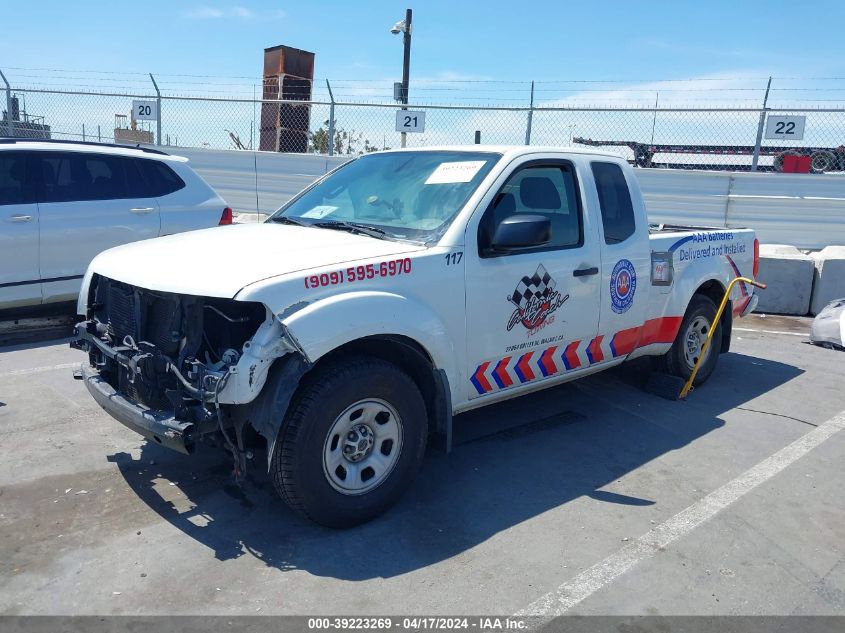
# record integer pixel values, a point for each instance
(160, 427)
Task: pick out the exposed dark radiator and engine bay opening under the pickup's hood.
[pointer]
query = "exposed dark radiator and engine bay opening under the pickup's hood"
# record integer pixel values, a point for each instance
(165, 350)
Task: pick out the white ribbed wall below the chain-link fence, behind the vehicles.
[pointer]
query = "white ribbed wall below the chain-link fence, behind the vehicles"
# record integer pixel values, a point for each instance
(805, 210)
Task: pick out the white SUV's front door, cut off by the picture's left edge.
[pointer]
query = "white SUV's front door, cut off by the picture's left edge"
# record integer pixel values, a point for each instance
(20, 283)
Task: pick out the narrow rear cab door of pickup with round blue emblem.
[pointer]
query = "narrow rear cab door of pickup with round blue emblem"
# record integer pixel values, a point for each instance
(626, 252)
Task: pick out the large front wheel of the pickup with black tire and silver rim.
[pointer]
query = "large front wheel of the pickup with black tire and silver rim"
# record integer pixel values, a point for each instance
(352, 442)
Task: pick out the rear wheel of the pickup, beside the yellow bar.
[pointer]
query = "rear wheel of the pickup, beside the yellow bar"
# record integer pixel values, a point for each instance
(698, 319)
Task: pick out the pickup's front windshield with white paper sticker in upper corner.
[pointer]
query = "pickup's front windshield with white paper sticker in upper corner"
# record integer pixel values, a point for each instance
(405, 195)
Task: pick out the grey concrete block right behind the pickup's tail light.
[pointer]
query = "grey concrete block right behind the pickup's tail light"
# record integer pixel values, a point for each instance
(788, 274)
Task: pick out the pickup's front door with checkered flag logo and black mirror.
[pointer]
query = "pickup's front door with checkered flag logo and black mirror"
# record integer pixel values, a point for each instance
(532, 314)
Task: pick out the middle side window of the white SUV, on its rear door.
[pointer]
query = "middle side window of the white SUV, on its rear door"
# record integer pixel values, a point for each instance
(78, 176)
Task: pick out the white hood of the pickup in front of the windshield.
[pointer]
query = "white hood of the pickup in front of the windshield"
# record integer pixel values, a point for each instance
(220, 261)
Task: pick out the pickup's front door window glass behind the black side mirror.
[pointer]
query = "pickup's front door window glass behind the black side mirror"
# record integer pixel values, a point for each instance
(547, 190)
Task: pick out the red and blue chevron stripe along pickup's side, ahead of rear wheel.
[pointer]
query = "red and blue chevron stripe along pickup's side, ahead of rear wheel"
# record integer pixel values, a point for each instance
(508, 371)
